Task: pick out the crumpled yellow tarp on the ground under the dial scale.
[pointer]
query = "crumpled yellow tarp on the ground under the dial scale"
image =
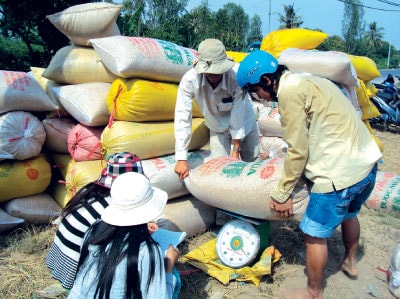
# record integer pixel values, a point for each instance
(205, 258)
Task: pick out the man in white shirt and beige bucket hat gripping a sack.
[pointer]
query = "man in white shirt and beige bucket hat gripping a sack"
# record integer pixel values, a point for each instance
(228, 113)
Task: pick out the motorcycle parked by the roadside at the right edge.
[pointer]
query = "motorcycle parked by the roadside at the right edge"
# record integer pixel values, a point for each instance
(387, 101)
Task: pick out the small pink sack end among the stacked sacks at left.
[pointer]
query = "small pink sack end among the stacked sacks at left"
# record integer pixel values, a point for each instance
(84, 143)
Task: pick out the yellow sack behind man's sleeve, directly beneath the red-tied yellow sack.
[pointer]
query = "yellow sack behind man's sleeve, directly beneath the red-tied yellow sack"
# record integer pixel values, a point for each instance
(150, 139)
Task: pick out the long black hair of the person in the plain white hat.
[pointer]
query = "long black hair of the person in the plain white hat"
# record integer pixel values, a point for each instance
(116, 243)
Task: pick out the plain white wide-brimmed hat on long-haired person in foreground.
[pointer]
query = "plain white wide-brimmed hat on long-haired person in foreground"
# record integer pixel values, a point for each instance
(133, 201)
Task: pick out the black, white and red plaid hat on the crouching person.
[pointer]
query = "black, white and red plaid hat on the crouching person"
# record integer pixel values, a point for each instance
(118, 164)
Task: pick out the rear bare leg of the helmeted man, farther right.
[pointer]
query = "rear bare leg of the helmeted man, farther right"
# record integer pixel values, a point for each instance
(351, 237)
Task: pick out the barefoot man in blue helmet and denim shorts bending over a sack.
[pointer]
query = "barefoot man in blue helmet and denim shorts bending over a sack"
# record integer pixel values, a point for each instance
(330, 146)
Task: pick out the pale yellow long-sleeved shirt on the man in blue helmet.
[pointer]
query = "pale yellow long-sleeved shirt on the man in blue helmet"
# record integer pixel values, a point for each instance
(328, 141)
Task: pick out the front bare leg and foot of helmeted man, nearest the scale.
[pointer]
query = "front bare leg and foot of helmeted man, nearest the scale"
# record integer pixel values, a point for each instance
(316, 260)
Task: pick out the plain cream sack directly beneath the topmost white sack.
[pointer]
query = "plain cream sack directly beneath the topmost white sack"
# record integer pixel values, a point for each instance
(75, 65)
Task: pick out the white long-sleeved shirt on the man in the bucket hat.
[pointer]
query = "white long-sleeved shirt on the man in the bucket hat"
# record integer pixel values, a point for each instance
(221, 115)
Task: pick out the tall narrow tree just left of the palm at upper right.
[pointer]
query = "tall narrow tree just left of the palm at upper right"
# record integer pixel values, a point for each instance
(353, 26)
